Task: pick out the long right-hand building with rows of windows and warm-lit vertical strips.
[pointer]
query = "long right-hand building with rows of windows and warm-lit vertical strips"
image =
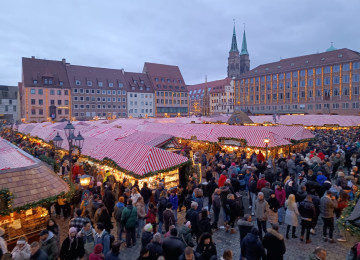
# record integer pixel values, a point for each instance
(322, 83)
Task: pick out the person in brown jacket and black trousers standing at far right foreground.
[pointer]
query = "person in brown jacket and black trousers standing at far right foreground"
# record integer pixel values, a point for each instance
(328, 204)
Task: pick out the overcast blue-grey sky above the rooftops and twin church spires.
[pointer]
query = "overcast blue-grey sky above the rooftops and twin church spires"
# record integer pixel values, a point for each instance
(193, 34)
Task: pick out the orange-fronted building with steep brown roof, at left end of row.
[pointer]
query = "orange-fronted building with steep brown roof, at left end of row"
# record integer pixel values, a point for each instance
(45, 90)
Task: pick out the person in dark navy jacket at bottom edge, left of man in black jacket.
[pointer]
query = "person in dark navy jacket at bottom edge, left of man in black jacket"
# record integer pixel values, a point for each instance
(251, 247)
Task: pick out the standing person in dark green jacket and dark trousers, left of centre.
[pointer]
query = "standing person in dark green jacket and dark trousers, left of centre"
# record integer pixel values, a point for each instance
(128, 219)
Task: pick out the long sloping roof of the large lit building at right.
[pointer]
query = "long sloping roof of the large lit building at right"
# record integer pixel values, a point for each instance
(303, 62)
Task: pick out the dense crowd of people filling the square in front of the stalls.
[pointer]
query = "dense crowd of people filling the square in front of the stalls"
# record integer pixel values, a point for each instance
(308, 188)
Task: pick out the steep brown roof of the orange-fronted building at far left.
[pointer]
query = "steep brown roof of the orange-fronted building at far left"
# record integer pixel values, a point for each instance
(35, 69)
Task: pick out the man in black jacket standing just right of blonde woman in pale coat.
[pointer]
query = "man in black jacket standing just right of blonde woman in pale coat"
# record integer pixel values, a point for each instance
(308, 215)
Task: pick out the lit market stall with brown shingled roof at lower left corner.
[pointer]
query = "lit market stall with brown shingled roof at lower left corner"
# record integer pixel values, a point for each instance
(28, 189)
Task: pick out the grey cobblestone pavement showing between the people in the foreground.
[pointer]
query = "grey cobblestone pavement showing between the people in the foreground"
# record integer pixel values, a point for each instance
(295, 249)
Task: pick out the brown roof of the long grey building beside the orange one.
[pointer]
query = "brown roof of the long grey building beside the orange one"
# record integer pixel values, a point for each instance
(94, 74)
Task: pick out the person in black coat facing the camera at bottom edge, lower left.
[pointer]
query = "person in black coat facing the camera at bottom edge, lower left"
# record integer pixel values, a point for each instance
(72, 247)
